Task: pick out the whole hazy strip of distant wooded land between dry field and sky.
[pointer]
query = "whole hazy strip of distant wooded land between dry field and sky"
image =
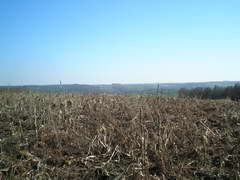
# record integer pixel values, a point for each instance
(202, 90)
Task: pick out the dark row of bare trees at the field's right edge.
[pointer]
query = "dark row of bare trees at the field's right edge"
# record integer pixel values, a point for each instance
(232, 92)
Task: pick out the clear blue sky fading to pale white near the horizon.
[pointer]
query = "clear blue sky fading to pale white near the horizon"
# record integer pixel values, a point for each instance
(118, 41)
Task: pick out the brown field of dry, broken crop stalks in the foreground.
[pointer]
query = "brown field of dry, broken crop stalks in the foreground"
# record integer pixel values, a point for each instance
(66, 136)
